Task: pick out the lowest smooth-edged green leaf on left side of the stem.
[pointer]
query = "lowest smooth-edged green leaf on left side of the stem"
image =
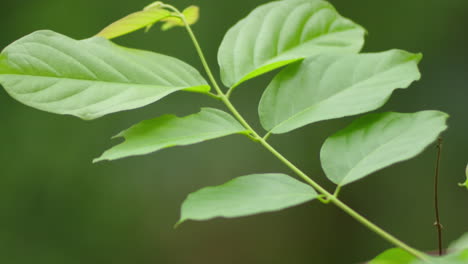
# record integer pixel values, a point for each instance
(247, 195)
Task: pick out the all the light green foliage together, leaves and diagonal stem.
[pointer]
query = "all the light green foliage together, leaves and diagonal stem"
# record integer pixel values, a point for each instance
(324, 77)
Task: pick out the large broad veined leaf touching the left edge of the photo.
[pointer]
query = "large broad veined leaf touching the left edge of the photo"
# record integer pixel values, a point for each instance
(90, 78)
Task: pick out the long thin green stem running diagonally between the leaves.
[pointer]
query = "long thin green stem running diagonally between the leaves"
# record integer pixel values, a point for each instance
(333, 199)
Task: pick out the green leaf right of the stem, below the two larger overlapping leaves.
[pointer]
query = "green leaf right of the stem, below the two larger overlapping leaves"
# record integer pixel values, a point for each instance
(376, 141)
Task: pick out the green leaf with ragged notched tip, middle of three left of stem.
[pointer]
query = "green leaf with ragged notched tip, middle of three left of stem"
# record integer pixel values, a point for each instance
(168, 131)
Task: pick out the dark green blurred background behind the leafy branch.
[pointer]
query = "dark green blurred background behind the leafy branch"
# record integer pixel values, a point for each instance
(58, 207)
